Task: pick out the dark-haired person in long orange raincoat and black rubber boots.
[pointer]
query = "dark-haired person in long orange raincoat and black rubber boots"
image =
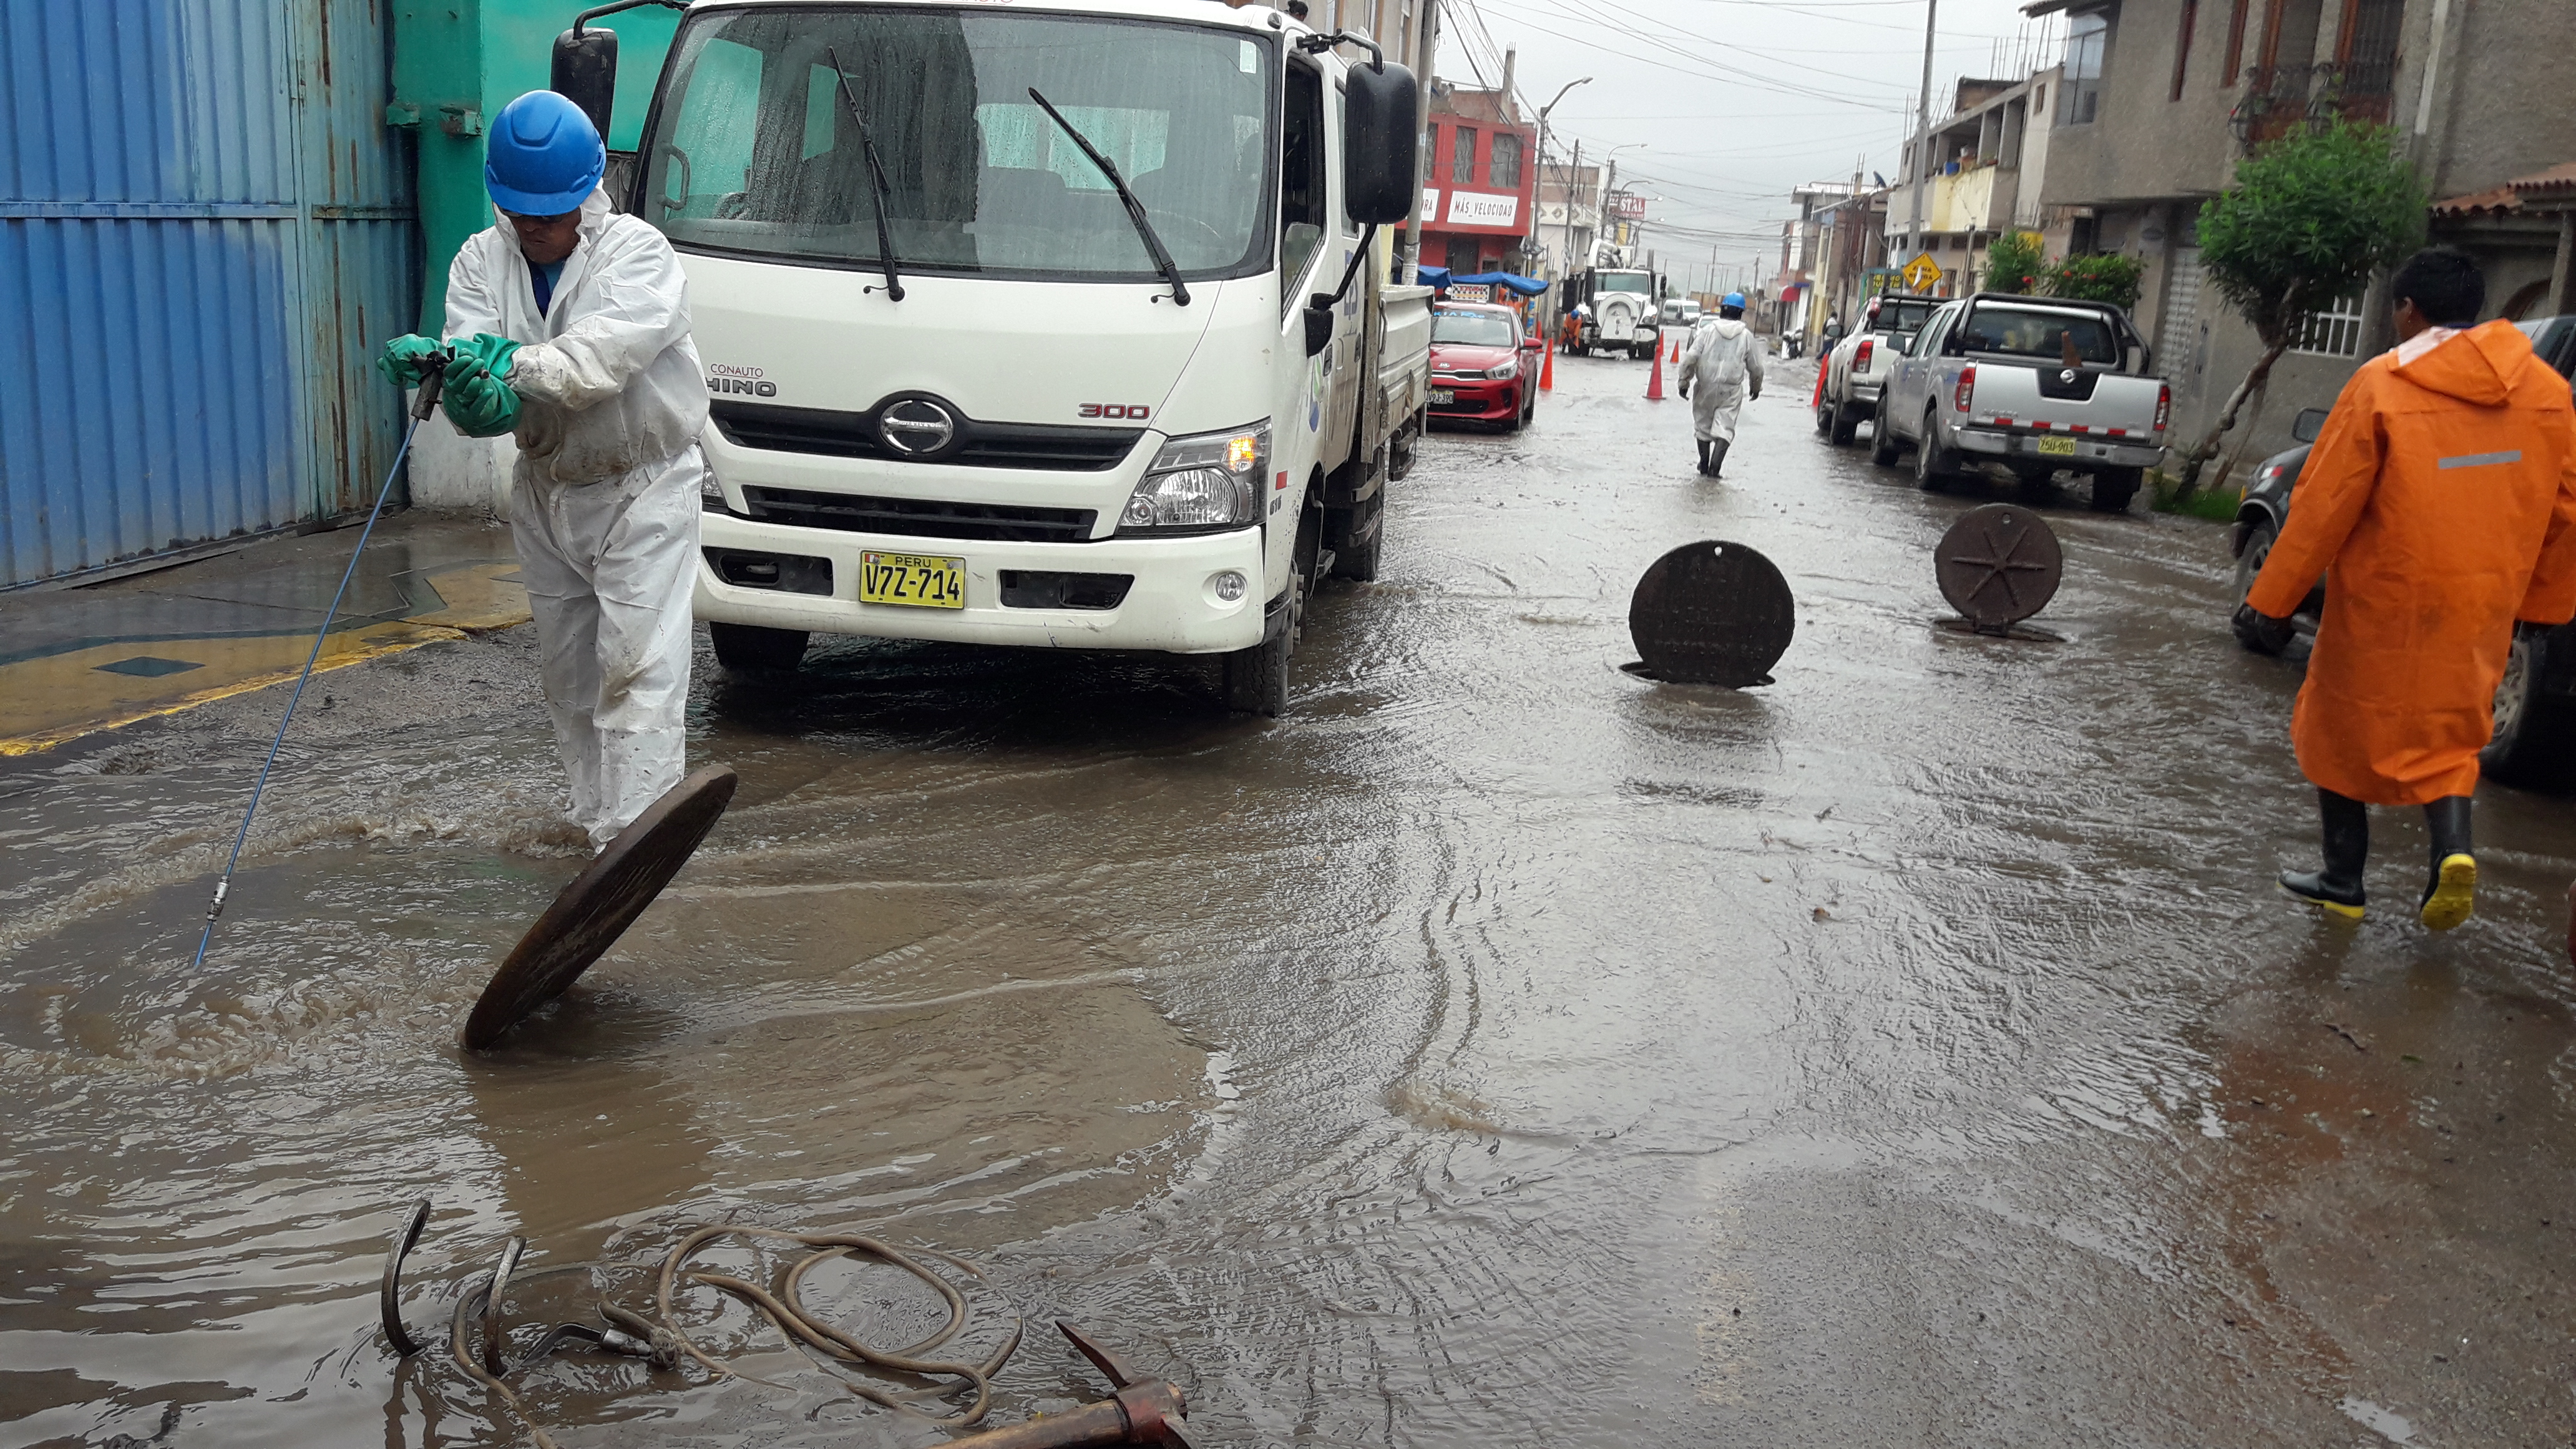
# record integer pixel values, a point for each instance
(2441, 504)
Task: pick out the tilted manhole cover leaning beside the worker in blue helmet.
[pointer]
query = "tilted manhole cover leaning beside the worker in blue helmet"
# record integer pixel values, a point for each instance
(601, 904)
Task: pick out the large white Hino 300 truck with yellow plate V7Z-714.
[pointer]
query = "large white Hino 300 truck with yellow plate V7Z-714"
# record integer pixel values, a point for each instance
(1052, 324)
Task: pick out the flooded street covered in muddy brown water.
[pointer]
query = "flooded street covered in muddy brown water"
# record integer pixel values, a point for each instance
(1498, 1051)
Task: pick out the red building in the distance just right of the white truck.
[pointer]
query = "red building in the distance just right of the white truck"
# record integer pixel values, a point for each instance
(1477, 182)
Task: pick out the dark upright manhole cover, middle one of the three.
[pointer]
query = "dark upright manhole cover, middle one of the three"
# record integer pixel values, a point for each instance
(1712, 612)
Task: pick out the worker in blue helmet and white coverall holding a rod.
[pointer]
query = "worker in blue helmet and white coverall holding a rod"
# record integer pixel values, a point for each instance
(568, 329)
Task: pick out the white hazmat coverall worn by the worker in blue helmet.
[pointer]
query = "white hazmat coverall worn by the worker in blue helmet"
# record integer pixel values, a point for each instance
(604, 501)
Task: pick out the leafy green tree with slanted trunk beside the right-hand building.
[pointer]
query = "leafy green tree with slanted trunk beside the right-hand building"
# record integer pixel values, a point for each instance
(2307, 223)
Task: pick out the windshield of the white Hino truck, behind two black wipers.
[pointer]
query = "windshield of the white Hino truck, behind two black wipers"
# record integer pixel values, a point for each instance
(753, 148)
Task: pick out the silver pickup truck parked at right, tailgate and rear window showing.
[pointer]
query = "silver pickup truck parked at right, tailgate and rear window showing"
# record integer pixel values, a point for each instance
(2031, 385)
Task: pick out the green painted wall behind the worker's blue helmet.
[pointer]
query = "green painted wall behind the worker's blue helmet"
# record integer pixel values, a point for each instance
(462, 61)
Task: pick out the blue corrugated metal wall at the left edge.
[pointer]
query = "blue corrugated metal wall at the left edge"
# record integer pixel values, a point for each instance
(205, 228)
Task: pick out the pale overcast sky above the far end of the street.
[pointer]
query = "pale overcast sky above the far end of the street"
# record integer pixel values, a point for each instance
(1722, 107)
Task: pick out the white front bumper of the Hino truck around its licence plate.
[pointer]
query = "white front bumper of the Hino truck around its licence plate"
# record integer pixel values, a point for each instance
(1168, 605)
